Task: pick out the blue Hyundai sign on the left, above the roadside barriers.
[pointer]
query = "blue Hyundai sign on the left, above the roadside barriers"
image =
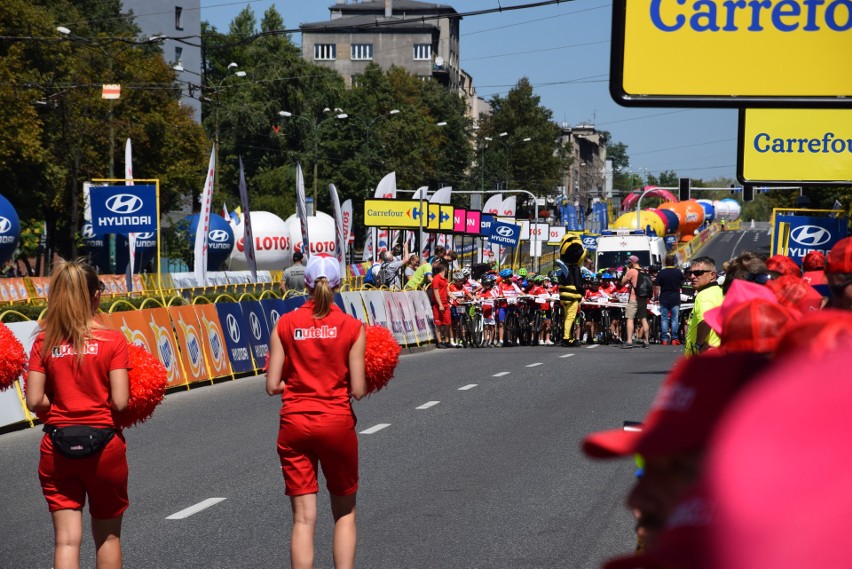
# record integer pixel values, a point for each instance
(123, 209)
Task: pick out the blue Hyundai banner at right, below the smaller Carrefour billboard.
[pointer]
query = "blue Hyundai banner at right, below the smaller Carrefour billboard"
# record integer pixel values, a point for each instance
(808, 234)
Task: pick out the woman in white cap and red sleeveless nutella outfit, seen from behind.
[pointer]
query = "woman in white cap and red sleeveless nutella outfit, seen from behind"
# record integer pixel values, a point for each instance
(316, 364)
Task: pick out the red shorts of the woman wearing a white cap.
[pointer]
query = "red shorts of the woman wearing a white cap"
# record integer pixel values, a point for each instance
(307, 438)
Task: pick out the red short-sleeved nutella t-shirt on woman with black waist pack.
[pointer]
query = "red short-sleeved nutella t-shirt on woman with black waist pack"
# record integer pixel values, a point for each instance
(79, 389)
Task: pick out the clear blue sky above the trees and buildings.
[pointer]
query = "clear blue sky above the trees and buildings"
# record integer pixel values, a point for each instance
(564, 50)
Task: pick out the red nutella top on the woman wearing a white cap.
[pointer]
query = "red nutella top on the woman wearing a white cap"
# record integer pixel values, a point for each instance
(316, 360)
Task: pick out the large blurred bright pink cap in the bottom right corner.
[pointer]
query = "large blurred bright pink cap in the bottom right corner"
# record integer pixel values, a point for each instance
(779, 469)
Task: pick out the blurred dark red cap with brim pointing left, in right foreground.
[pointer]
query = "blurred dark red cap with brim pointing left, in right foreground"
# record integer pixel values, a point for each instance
(685, 410)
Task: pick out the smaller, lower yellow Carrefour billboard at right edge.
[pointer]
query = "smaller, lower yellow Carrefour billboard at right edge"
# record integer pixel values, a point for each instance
(792, 145)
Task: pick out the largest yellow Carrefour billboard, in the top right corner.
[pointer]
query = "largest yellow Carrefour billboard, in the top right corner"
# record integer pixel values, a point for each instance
(725, 53)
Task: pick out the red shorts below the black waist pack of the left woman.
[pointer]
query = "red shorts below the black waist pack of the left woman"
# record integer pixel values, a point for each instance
(65, 482)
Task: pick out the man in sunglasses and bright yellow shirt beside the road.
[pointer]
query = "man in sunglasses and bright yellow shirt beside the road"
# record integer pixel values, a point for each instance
(700, 337)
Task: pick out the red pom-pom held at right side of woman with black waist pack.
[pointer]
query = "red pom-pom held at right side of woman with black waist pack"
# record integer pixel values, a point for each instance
(148, 380)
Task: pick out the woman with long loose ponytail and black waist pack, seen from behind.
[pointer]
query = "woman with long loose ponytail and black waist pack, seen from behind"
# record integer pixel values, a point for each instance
(78, 376)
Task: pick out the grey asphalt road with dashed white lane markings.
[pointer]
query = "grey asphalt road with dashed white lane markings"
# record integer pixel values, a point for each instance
(469, 459)
